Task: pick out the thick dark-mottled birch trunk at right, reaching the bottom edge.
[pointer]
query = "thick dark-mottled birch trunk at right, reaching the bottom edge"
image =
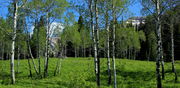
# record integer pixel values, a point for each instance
(159, 85)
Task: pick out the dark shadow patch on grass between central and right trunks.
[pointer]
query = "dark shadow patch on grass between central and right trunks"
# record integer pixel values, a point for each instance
(130, 78)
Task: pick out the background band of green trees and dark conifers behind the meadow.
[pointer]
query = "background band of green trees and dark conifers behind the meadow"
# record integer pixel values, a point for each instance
(76, 39)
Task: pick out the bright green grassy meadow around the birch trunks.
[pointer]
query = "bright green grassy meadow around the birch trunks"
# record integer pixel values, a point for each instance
(79, 73)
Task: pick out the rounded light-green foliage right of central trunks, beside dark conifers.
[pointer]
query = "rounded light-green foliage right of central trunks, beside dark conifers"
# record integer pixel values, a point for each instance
(128, 38)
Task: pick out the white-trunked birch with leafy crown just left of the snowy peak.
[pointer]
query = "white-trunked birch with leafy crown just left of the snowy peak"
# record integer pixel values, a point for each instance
(52, 10)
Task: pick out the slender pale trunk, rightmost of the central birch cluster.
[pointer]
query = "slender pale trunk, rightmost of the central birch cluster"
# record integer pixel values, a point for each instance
(113, 43)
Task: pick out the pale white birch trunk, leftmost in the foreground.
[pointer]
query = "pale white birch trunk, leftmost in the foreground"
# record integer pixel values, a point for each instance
(13, 42)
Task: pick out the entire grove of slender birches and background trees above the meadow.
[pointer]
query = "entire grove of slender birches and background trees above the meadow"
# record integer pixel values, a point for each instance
(90, 28)
